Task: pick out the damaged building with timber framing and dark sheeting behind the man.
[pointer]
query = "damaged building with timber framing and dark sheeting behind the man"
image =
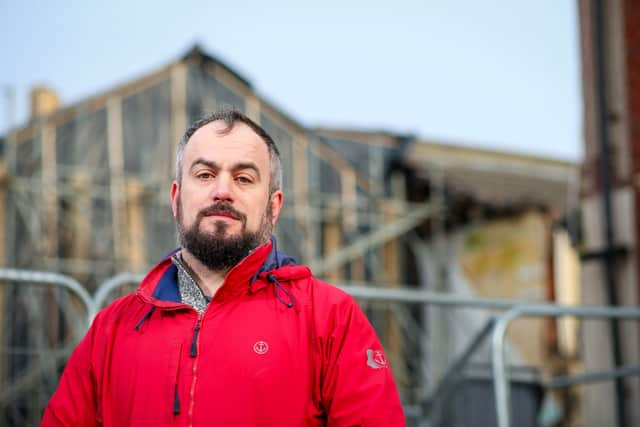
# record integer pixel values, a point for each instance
(86, 194)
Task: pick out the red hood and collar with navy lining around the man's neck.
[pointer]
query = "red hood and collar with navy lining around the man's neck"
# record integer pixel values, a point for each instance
(265, 265)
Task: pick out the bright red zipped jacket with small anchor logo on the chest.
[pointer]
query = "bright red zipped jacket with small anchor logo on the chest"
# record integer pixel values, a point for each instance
(275, 347)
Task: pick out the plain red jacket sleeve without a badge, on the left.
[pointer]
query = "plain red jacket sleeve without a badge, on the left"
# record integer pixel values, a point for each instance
(75, 402)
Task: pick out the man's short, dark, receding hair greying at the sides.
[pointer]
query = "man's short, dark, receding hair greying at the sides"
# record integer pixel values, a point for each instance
(230, 117)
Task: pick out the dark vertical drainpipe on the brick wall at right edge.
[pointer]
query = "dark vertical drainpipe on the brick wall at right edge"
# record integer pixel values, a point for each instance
(599, 27)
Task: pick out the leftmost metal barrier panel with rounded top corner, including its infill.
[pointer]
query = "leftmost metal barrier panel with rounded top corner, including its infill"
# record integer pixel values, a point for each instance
(43, 317)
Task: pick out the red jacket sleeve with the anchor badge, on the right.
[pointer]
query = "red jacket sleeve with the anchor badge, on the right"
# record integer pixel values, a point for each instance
(358, 388)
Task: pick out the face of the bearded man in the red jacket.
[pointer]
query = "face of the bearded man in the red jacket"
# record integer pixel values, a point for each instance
(224, 198)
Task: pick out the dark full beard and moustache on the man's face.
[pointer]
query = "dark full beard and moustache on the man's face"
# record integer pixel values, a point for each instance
(218, 250)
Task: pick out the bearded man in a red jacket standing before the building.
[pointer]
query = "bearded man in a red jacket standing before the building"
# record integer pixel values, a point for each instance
(228, 331)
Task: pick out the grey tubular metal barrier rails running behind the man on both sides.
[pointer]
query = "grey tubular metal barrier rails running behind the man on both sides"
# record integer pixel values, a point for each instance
(514, 309)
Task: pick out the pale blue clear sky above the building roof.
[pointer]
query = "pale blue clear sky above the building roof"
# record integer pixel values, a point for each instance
(502, 75)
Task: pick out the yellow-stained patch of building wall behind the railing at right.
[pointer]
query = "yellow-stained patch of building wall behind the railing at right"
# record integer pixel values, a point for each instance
(509, 259)
